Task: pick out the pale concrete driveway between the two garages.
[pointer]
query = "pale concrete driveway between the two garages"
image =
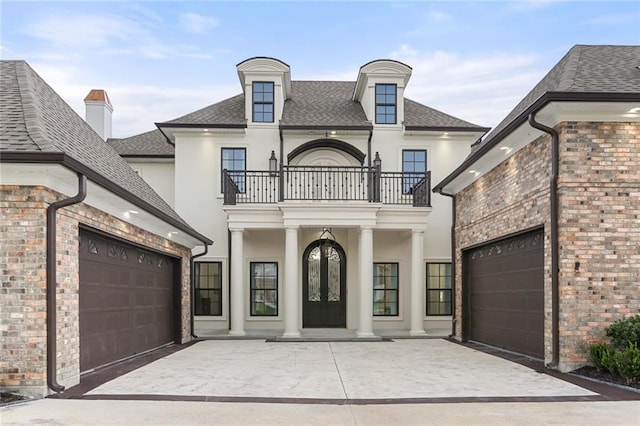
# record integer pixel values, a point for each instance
(403, 369)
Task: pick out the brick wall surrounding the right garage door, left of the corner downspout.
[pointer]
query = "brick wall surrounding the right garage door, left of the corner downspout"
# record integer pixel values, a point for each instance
(512, 197)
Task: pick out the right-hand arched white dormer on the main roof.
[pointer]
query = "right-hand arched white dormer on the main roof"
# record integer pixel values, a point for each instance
(380, 91)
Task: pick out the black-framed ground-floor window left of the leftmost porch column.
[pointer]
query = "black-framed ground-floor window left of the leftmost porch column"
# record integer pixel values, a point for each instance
(208, 288)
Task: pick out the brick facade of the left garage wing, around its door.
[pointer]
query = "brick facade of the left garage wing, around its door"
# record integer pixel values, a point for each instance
(23, 290)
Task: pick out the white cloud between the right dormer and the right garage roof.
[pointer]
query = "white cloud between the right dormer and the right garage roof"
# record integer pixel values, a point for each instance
(481, 89)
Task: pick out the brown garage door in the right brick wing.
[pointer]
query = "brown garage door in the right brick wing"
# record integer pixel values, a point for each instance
(504, 293)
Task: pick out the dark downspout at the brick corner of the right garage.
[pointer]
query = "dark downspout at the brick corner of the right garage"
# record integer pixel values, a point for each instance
(555, 269)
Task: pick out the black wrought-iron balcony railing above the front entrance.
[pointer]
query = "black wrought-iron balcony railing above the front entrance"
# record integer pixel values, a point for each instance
(327, 183)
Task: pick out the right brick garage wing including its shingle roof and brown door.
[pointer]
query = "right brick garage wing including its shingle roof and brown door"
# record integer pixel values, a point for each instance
(547, 228)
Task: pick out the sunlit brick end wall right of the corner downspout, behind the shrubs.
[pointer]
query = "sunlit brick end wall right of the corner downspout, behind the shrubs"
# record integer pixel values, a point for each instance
(599, 188)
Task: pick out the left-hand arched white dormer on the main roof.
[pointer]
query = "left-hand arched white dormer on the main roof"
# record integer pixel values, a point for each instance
(266, 83)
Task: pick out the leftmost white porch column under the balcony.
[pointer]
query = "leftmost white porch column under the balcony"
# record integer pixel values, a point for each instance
(237, 283)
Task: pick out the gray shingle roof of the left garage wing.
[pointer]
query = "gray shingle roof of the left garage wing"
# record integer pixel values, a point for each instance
(35, 121)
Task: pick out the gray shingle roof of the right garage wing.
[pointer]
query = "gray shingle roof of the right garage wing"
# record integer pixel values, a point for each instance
(584, 69)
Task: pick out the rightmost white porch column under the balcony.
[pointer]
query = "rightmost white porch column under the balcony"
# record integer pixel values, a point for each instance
(417, 283)
